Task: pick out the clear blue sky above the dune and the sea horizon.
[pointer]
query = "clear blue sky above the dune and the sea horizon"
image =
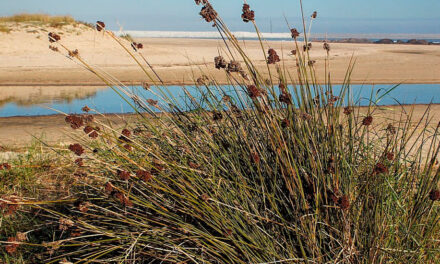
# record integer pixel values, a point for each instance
(334, 16)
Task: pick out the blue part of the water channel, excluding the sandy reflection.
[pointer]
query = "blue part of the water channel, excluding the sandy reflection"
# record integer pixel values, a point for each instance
(107, 101)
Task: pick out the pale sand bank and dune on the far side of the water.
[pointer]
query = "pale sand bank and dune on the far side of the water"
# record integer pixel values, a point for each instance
(25, 59)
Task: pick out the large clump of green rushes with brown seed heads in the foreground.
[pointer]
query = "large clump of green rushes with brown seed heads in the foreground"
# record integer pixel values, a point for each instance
(251, 173)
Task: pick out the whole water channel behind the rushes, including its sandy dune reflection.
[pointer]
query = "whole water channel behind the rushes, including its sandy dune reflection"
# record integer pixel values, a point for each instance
(37, 100)
